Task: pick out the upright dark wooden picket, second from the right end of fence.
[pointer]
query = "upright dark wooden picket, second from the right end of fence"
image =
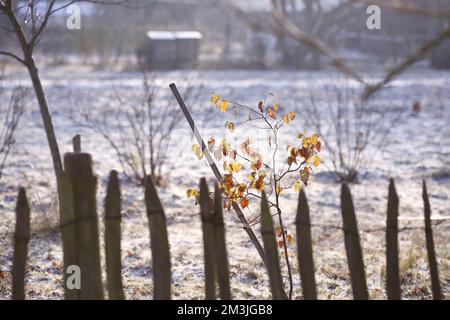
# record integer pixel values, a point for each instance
(392, 269)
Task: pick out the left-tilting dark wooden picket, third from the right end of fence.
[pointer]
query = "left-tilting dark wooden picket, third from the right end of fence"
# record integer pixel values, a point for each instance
(353, 246)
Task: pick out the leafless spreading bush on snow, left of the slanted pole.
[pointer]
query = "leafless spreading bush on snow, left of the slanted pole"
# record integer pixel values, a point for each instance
(139, 126)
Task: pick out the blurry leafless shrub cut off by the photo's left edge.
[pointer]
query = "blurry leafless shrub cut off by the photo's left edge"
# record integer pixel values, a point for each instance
(10, 114)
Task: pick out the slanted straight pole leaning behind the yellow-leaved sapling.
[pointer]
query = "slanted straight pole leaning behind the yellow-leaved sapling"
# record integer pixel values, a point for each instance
(216, 172)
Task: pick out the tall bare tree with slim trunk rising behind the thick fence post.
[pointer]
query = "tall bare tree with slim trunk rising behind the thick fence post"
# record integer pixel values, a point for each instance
(27, 21)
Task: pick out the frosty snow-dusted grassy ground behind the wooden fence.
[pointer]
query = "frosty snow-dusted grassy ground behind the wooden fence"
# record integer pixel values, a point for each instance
(418, 147)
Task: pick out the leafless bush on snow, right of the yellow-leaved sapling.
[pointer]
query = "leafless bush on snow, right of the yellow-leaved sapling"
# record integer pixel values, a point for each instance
(352, 129)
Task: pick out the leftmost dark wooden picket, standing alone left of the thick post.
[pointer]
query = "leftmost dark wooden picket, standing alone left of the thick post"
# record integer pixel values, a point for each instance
(21, 239)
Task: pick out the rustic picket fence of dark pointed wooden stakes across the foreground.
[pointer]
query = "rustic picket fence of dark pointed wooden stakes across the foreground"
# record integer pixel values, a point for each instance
(79, 229)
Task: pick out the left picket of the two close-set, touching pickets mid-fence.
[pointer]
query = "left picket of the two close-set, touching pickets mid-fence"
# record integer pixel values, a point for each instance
(209, 242)
